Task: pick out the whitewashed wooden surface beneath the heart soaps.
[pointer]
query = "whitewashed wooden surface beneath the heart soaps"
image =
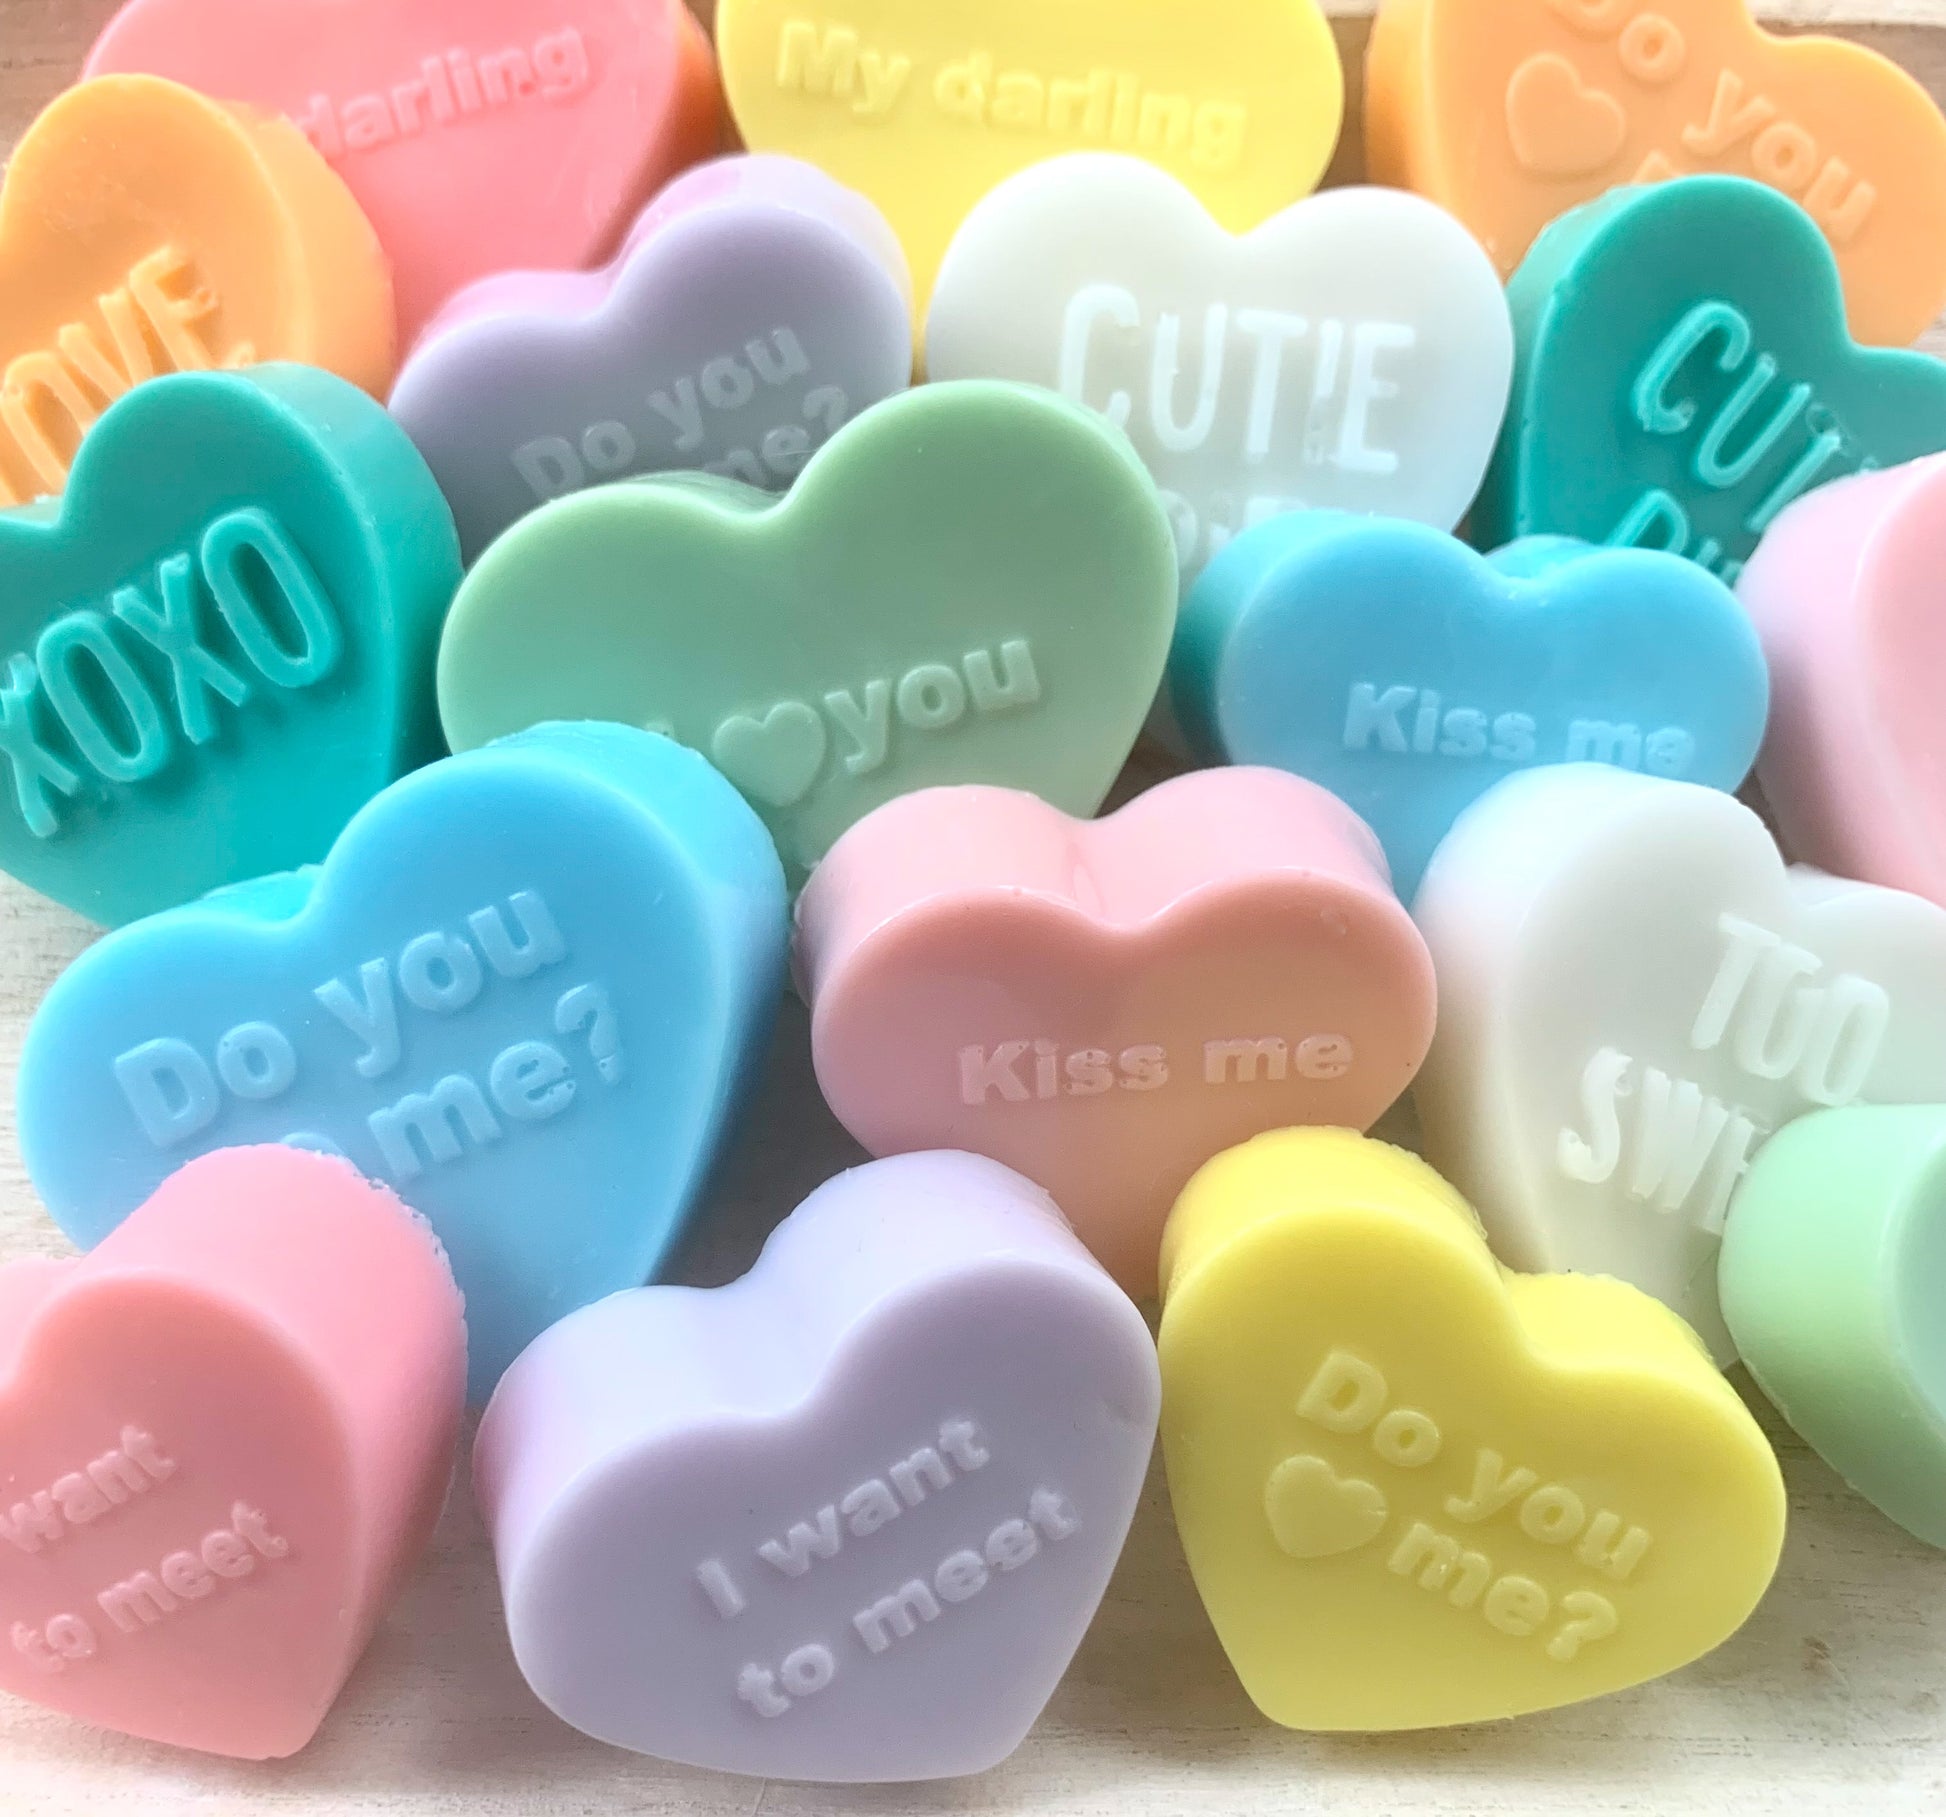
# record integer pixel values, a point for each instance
(1832, 1701)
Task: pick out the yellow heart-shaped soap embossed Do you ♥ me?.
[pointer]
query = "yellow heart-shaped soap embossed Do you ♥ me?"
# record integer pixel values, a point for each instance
(1420, 1491)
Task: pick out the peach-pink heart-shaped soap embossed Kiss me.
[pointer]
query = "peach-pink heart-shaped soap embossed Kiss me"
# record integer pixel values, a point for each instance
(1104, 1005)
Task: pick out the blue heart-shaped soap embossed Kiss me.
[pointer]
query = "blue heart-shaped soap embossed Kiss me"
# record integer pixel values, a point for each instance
(1408, 674)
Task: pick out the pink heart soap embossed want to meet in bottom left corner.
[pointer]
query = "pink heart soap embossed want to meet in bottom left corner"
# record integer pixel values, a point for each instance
(227, 1435)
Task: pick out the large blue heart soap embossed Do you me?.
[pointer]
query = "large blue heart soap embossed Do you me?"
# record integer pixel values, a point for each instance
(524, 991)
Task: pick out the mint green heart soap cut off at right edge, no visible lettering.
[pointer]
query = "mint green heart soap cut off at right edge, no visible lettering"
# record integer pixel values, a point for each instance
(1832, 1275)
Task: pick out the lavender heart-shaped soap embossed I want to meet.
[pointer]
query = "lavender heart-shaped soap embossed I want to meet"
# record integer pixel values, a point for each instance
(844, 1520)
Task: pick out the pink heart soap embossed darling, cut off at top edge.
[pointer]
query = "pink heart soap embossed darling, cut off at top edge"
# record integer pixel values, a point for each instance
(478, 135)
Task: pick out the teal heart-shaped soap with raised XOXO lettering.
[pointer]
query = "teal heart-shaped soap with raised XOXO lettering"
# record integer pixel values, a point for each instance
(219, 647)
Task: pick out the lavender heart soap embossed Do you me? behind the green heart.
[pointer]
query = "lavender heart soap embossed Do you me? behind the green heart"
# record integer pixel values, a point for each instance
(756, 308)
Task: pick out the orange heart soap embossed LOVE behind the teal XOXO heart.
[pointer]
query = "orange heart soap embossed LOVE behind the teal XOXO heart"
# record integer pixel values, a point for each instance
(149, 231)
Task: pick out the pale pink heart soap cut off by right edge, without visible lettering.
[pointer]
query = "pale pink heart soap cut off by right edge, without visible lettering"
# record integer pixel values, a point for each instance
(1846, 592)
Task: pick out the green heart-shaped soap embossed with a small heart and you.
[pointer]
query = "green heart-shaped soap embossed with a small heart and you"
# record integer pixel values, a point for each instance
(968, 585)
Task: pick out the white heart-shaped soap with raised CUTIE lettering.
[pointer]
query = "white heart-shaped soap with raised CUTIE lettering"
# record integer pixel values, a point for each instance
(1353, 351)
